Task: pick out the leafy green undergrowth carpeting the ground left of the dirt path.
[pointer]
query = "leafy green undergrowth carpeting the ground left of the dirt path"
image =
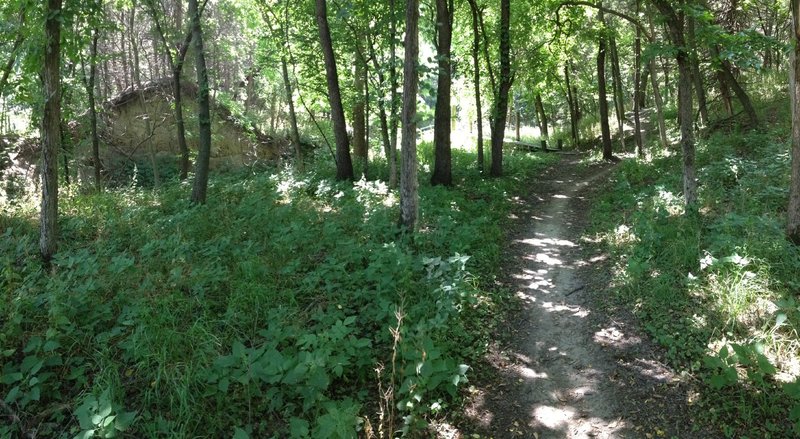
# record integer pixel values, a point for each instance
(288, 306)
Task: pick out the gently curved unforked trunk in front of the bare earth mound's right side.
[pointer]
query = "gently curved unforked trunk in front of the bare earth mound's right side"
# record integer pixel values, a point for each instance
(204, 111)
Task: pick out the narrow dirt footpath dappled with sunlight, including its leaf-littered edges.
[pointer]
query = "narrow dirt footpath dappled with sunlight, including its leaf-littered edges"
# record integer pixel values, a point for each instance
(569, 363)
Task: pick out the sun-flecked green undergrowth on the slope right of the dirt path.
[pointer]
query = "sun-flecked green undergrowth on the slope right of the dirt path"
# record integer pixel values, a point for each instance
(718, 287)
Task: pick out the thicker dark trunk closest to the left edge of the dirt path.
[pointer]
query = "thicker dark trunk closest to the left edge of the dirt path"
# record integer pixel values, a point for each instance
(501, 101)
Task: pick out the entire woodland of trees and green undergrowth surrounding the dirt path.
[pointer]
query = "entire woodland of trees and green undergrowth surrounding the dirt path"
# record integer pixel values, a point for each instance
(270, 218)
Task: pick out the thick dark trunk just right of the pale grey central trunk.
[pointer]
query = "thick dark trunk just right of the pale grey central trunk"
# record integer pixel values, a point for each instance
(442, 174)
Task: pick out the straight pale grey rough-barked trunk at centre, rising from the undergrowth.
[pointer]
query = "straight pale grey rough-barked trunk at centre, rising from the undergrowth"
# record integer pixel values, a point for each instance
(409, 184)
